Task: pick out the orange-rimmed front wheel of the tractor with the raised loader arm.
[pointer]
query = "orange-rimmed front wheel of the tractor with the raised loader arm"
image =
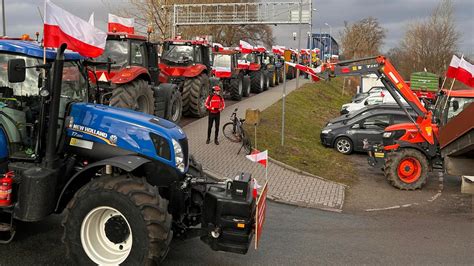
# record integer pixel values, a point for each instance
(406, 169)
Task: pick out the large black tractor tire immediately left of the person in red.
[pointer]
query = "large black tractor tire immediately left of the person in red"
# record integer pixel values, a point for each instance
(195, 92)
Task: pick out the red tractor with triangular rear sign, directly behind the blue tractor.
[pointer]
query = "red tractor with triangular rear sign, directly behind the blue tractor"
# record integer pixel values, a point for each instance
(130, 79)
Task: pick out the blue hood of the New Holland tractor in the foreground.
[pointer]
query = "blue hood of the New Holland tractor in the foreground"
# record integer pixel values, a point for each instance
(125, 129)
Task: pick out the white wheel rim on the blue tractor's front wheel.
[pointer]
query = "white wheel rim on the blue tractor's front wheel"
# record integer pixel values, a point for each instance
(106, 236)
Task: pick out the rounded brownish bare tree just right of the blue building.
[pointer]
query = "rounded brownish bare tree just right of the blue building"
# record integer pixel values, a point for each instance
(363, 38)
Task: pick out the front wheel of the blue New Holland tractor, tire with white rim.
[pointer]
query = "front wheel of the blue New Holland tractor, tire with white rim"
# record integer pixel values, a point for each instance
(117, 220)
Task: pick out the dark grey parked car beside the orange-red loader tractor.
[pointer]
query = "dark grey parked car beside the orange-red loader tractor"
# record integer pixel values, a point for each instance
(347, 136)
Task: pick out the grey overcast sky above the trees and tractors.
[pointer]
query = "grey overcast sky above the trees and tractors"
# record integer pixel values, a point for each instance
(23, 17)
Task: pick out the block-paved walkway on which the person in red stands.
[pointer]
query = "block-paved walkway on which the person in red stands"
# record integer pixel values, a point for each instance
(285, 185)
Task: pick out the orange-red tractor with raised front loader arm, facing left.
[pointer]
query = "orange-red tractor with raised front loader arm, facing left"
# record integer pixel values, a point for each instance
(409, 150)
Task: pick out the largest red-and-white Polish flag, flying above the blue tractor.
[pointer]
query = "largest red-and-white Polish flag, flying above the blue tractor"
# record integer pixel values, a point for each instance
(61, 27)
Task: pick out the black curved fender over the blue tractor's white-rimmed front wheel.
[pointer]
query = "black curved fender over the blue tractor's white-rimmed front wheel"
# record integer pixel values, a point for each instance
(128, 163)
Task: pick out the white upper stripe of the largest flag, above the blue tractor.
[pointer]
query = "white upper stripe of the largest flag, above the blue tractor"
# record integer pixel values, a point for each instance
(73, 25)
